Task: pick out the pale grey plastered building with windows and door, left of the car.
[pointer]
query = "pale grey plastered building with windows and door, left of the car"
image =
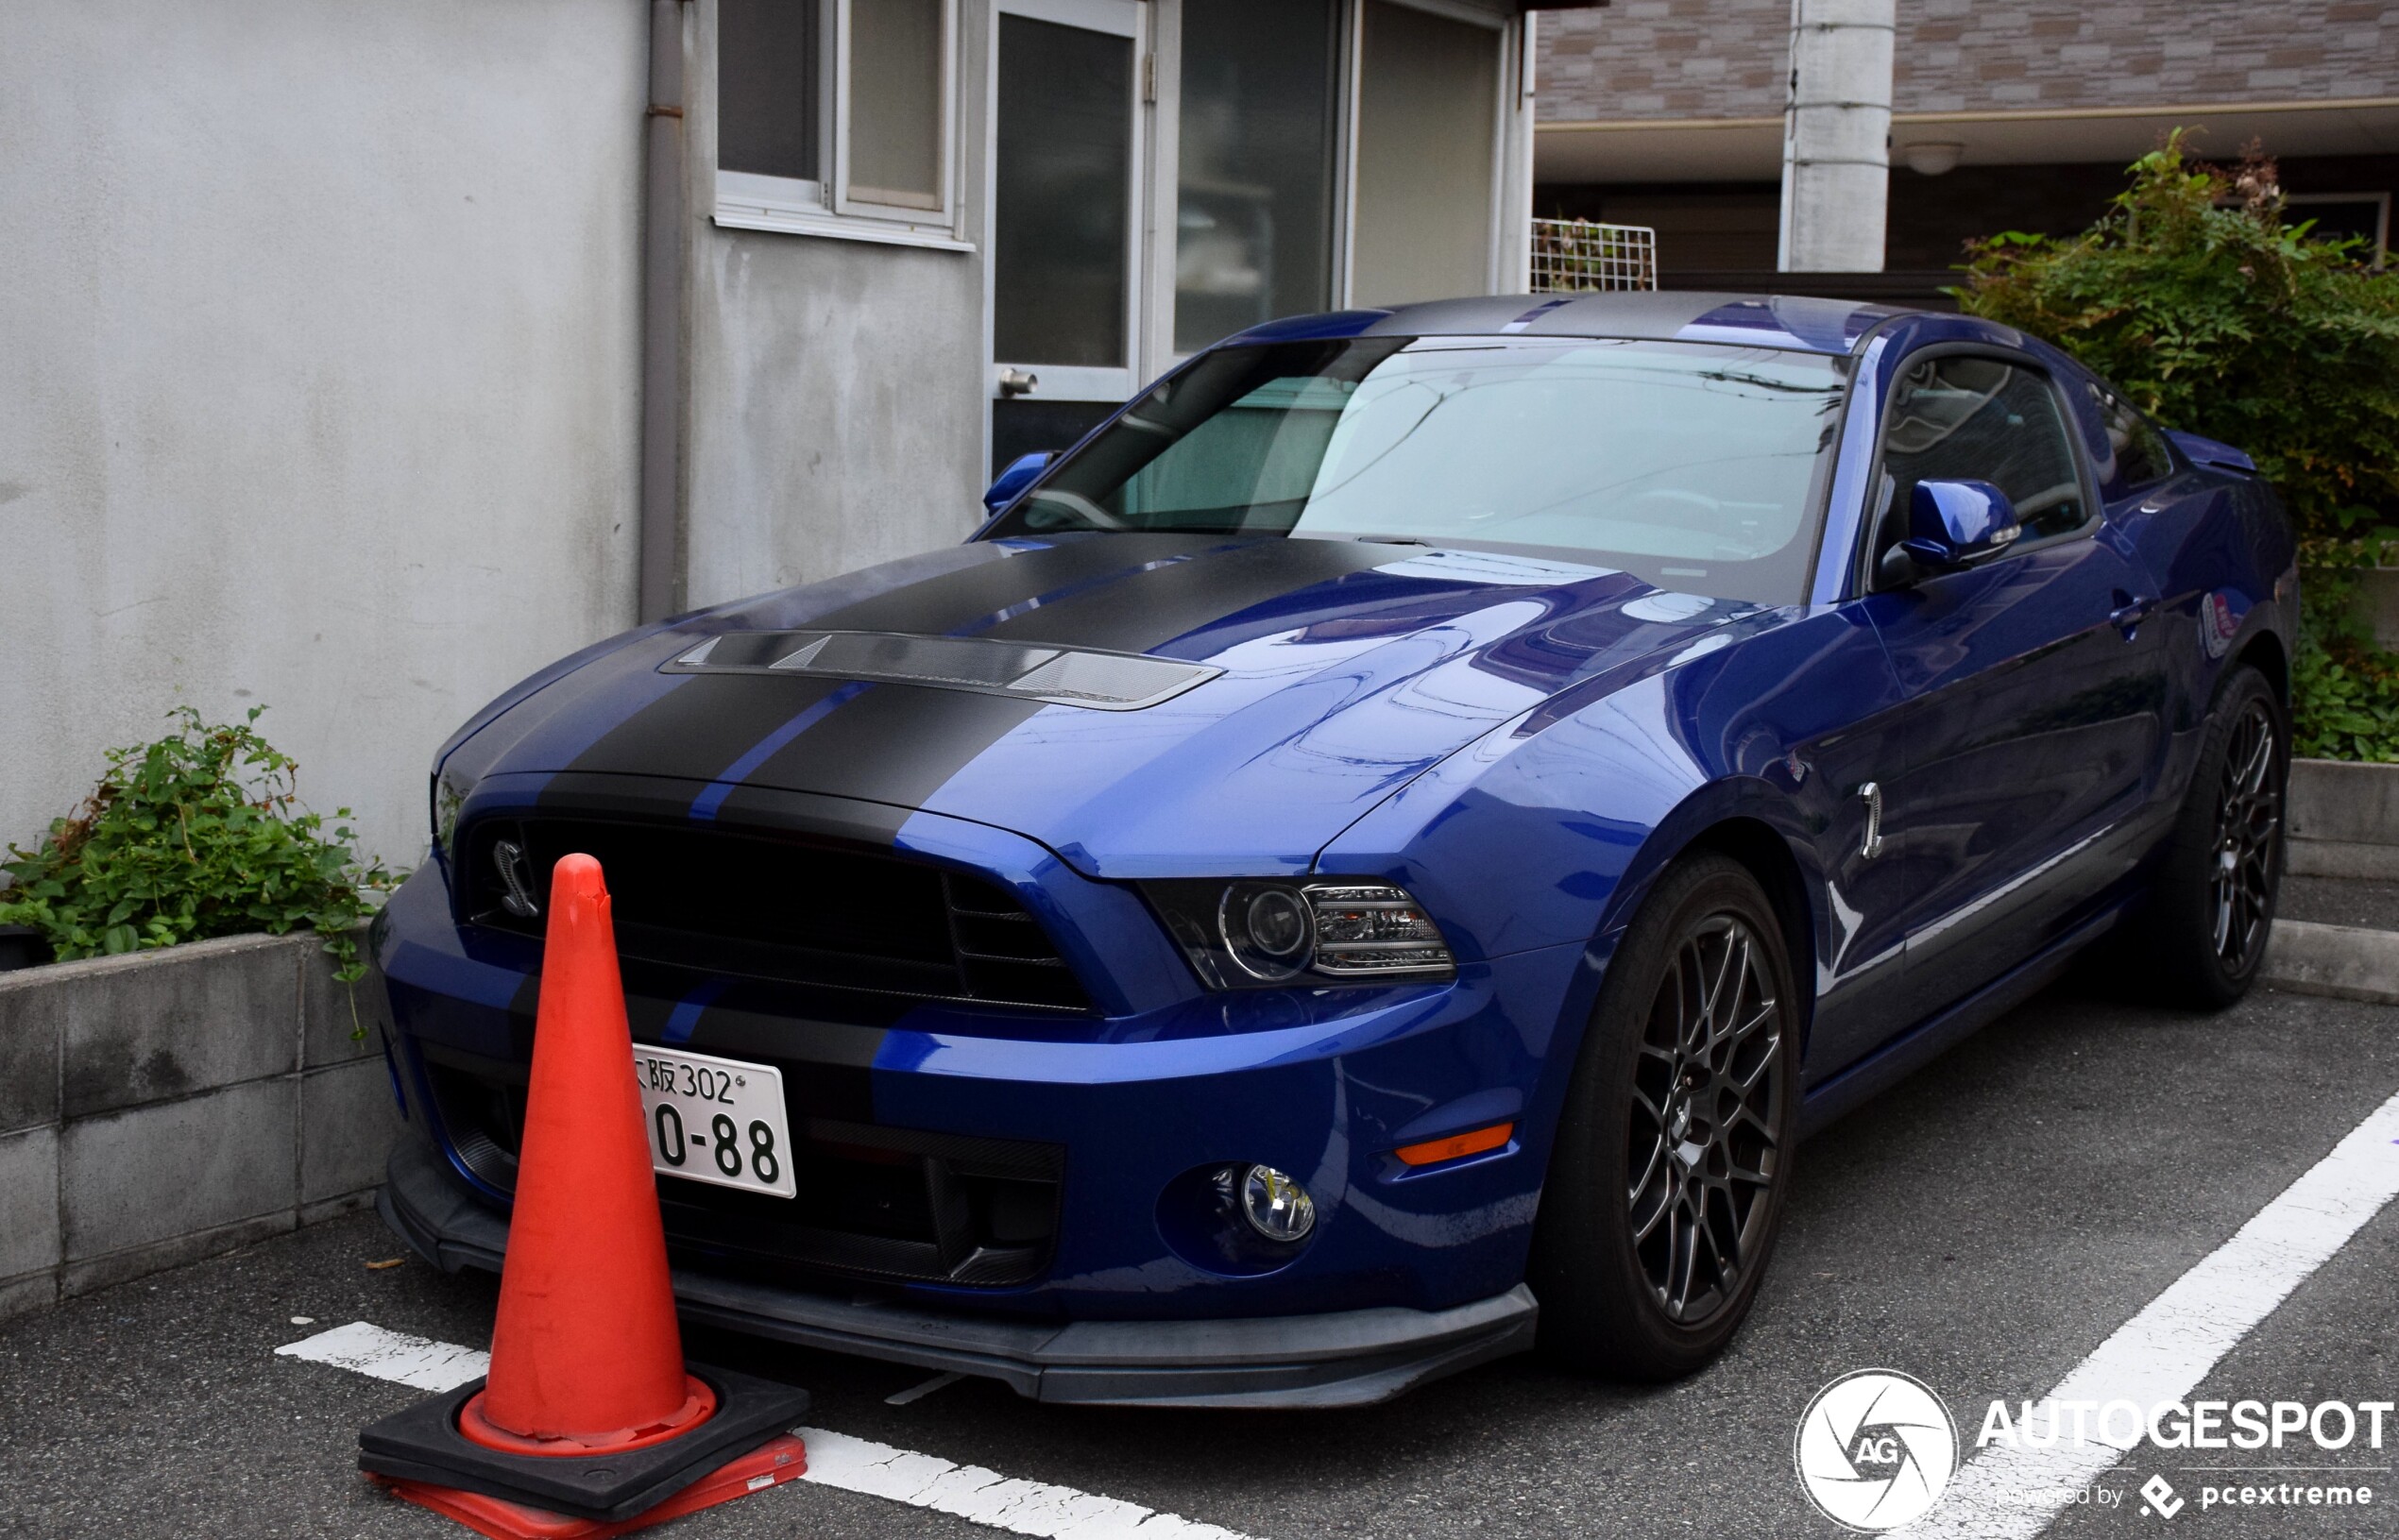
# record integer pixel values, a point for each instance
(361, 359)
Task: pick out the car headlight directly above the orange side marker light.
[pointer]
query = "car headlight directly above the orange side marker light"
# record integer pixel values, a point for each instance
(1316, 932)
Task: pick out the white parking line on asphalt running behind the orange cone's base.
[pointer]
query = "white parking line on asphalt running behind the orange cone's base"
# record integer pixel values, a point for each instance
(836, 1460)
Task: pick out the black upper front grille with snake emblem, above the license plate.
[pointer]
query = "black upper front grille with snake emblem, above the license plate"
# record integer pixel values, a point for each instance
(771, 908)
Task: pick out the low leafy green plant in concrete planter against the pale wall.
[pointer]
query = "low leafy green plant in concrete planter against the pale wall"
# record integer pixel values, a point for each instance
(186, 838)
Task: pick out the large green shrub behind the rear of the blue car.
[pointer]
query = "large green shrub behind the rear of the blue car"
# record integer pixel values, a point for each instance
(2218, 318)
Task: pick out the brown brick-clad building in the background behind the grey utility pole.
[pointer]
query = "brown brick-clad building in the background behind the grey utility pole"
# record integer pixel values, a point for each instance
(2012, 116)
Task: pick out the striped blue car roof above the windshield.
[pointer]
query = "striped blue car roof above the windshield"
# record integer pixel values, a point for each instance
(1793, 323)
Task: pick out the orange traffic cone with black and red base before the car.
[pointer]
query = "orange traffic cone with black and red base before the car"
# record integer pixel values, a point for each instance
(589, 1424)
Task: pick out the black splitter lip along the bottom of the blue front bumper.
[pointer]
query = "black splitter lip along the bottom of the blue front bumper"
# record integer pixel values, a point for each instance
(1292, 1361)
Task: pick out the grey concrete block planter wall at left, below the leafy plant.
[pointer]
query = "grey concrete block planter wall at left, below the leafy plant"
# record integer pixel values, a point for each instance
(176, 1105)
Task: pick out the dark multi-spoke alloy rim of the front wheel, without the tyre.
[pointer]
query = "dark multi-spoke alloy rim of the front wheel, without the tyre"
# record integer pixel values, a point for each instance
(1704, 1121)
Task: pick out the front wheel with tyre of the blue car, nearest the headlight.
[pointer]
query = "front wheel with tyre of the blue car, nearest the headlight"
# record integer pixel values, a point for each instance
(1673, 1153)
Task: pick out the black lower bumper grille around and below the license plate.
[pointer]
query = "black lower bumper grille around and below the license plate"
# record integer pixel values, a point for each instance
(874, 1203)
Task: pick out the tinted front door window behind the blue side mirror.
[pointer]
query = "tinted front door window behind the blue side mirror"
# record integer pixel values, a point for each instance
(1980, 421)
